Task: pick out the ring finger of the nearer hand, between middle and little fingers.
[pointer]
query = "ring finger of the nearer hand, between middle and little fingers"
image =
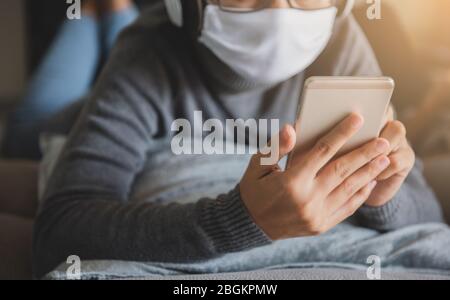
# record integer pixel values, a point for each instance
(357, 181)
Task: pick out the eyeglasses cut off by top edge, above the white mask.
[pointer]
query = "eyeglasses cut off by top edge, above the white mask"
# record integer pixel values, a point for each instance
(245, 6)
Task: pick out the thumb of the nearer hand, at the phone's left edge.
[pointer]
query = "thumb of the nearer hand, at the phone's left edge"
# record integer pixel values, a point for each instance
(286, 139)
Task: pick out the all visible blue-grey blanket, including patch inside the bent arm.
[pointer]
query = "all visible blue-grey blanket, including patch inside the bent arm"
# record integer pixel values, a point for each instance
(422, 249)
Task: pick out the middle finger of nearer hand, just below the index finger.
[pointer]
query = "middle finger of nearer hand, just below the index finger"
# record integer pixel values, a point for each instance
(337, 171)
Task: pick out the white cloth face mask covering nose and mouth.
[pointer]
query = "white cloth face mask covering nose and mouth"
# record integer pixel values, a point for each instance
(267, 46)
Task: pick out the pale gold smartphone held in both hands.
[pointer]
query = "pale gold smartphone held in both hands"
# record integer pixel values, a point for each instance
(326, 101)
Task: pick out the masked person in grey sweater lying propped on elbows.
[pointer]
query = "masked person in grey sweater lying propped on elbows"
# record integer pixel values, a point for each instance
(214, 64)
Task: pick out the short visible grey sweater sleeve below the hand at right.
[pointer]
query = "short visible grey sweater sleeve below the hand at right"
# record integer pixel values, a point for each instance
(415, 203)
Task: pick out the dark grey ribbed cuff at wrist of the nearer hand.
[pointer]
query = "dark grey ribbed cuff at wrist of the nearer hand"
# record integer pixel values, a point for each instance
(229, 225)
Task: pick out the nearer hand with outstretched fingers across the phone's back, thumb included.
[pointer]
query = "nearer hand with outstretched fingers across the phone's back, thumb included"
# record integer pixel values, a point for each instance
(317, 192)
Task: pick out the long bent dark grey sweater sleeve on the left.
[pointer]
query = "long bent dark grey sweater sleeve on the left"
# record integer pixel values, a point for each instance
(87, 211)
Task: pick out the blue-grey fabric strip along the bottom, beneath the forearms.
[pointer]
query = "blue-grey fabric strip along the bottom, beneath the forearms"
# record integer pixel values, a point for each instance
(422, 249)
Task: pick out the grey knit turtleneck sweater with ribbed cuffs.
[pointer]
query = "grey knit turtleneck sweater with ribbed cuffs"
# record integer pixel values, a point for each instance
(156, 75)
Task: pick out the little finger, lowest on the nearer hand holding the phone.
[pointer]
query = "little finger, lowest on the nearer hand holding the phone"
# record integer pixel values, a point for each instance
(352, 205)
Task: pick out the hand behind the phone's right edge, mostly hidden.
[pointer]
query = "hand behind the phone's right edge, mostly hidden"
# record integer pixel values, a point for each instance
(402, 159)
